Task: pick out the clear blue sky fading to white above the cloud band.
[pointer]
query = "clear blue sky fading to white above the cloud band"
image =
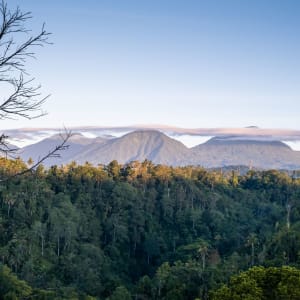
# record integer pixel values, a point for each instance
(191, 64)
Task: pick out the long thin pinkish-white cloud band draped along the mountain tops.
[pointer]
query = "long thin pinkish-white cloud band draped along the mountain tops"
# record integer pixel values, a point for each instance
(25, 136)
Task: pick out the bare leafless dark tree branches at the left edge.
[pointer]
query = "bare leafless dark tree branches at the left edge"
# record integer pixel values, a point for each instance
(21, 97)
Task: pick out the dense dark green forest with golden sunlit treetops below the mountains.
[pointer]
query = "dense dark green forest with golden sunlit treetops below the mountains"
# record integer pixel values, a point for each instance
(145, 231)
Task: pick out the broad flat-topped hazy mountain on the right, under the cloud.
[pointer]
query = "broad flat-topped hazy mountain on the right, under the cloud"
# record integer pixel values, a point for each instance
(263, 154)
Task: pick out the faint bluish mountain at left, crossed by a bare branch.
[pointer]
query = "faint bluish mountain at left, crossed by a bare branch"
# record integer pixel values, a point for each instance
(76, 143)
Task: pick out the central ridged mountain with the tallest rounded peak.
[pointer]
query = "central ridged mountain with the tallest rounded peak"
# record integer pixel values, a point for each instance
(138, 145)
